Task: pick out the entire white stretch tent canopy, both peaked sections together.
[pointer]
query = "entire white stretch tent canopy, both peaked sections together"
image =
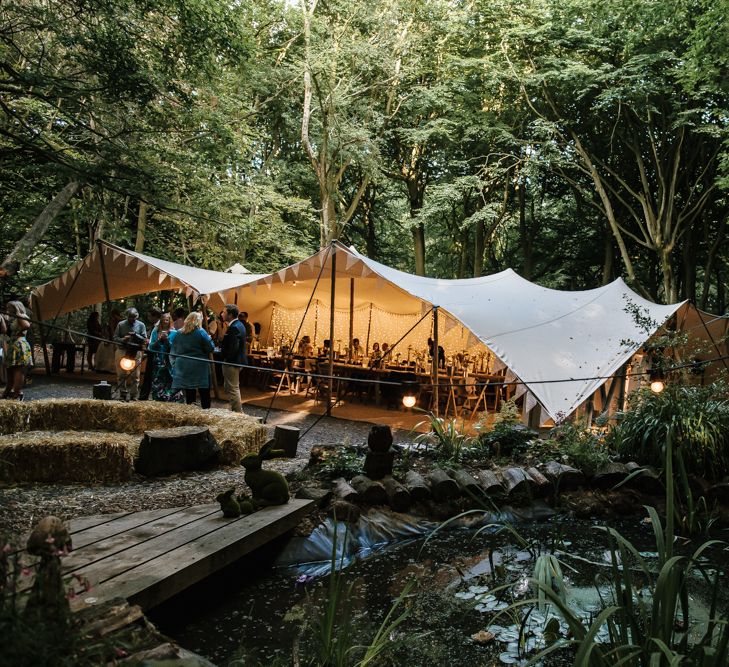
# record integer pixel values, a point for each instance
(561, 345)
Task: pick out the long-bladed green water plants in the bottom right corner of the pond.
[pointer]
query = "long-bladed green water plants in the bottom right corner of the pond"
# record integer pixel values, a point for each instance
(646, 619)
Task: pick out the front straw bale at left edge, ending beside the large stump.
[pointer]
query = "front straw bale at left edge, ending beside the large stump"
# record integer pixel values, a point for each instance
(67, 456)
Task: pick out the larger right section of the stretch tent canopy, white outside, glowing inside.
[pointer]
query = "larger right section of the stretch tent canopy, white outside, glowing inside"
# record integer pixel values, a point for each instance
(540, 334)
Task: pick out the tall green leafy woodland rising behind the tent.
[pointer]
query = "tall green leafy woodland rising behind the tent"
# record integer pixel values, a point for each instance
(573, 141)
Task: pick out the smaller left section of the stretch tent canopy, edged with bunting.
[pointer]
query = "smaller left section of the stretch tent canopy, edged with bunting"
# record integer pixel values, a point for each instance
(127, 274)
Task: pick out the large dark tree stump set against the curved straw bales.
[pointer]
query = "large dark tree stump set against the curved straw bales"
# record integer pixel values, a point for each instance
(172, 450)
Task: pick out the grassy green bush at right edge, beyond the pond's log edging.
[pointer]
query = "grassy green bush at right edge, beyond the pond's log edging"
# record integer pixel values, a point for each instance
(698, 419)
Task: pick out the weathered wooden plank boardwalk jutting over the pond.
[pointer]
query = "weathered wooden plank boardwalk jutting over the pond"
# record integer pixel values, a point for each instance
(147, 557)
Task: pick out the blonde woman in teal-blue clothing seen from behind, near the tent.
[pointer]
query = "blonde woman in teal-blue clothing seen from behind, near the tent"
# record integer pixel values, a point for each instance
(191, 348)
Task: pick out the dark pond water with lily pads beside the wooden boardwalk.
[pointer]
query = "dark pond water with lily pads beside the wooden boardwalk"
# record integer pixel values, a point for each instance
(260, 614)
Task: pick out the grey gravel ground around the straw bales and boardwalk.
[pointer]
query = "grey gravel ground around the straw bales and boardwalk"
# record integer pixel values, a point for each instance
(22, 506)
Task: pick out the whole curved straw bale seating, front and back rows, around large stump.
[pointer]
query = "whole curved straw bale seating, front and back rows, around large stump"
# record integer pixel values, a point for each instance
(43, 440)
